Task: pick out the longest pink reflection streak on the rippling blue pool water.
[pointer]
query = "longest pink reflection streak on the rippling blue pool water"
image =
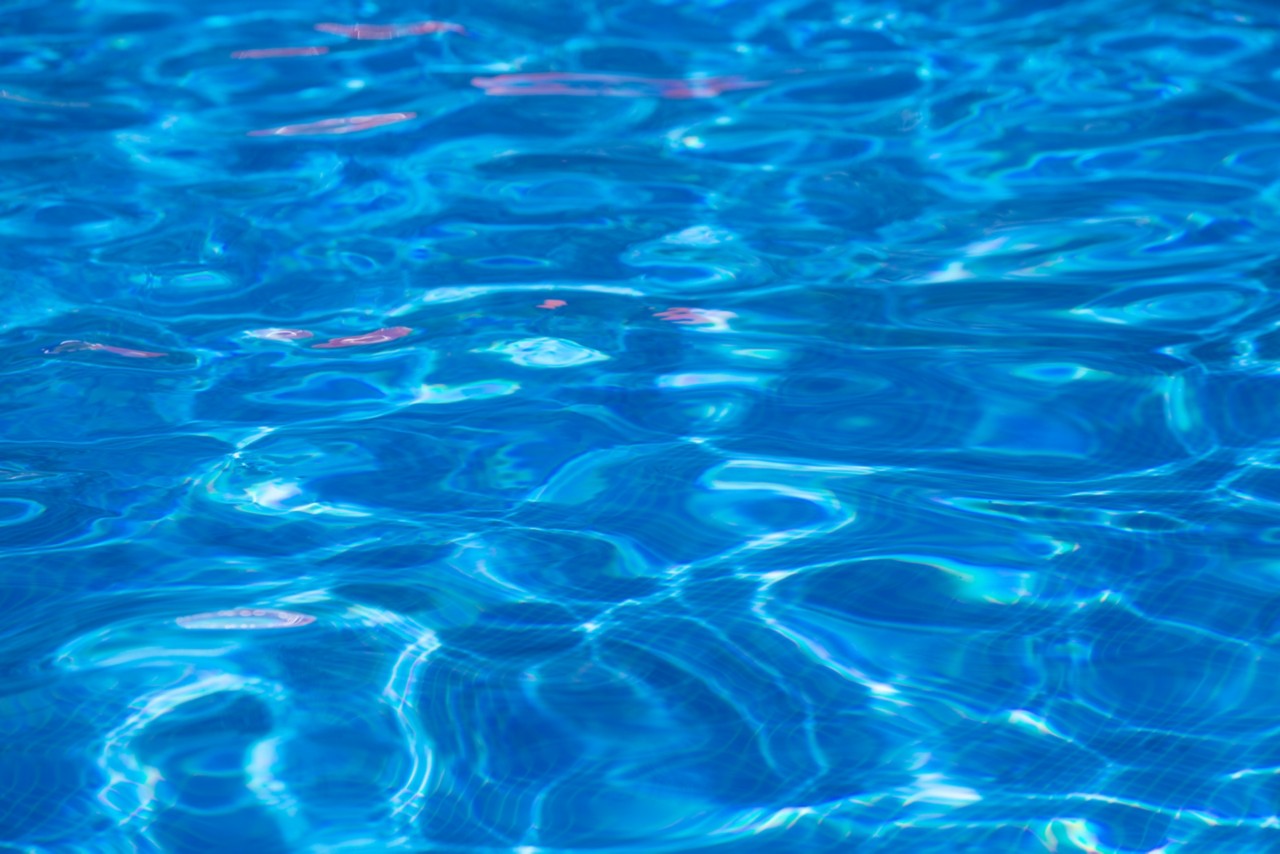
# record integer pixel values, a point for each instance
(610, 85)
